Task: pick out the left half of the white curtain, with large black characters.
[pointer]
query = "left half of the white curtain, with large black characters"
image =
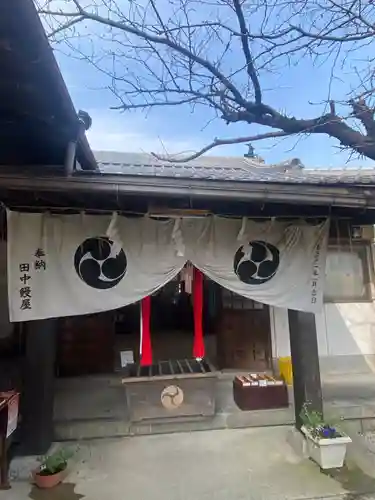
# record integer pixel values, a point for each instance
(87, 264)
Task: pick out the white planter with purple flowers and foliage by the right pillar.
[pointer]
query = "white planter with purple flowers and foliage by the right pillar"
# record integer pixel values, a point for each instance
(326, 445)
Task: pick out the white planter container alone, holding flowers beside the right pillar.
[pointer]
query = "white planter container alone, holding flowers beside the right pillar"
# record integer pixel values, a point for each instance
(327, 453)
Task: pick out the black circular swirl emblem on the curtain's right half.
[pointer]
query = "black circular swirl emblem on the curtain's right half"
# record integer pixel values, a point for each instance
(256, 262)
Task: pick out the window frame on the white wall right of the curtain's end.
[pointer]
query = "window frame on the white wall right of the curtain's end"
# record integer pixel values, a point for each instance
(363, 249)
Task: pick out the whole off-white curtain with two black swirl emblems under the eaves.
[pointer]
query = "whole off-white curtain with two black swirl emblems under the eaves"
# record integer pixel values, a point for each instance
(66, 265)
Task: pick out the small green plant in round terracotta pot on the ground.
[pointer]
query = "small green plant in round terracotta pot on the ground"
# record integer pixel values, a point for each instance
(52, 468)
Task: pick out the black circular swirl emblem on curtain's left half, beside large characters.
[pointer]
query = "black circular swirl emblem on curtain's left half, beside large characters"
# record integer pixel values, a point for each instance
(100, 263)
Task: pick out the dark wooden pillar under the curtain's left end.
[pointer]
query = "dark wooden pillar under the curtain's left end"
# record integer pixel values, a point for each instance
(38, 387)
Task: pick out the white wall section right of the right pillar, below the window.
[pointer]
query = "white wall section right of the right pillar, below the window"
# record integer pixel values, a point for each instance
(349, 338)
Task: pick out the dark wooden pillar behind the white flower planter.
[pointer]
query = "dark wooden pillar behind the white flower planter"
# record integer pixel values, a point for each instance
(305, 360)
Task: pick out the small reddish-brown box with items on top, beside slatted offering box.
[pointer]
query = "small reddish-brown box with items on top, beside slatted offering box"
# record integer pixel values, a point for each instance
(259, 392)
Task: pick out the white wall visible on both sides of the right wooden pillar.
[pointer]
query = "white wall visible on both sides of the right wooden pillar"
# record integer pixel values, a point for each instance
(346, 337)
